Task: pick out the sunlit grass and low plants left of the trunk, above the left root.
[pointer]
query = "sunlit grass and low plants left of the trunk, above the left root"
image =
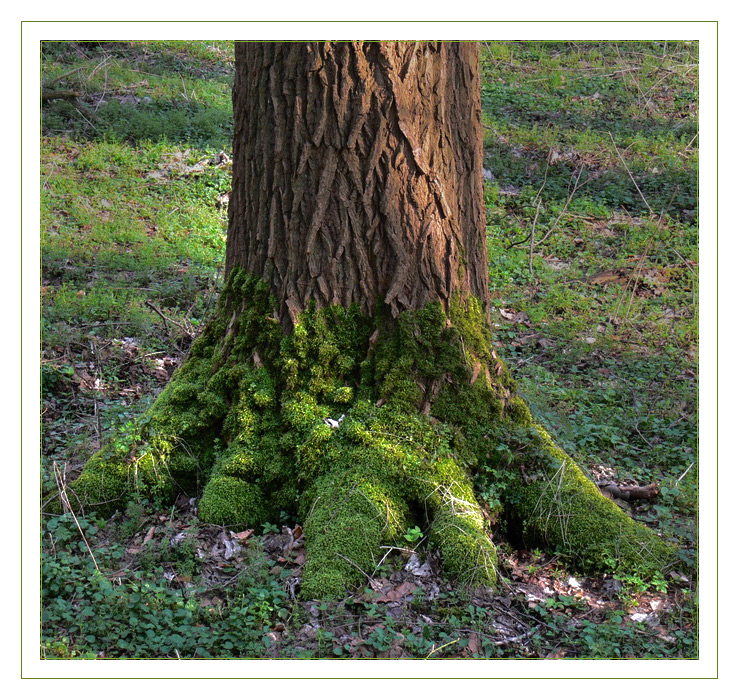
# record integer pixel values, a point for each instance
(130, 224)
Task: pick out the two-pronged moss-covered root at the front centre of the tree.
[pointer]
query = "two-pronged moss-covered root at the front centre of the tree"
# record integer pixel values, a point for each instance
(384, 470)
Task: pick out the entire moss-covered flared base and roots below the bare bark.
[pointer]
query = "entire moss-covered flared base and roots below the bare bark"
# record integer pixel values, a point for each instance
(363, 432)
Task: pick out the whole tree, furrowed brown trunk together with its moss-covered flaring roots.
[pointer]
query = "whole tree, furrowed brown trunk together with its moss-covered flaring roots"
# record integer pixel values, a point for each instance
(349, 374)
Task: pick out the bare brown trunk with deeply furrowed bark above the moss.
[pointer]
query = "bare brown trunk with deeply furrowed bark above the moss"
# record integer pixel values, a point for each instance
(358, 174)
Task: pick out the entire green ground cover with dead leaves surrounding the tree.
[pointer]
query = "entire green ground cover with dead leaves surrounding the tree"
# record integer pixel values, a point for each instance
(591, 155)
